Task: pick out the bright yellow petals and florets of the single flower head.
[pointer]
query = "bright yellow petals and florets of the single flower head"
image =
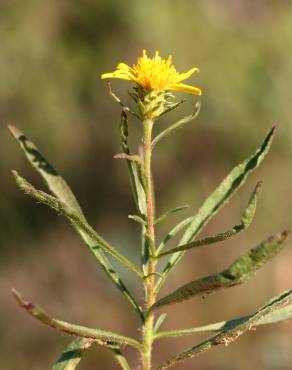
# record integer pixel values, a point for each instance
(154, 74)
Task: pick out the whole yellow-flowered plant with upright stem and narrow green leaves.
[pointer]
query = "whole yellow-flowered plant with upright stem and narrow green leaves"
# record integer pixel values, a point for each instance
(153, 80)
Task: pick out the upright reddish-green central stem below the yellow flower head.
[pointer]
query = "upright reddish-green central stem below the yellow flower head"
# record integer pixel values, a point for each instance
(148, 334)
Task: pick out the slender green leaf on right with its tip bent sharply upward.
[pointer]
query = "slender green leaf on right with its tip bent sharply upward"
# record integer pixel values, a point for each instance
(245, 221)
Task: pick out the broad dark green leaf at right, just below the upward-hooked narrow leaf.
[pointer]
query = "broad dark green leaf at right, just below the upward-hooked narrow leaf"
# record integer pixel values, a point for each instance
(239, 272)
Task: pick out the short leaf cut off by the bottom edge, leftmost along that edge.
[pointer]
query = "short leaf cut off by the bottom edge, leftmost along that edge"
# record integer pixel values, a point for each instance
(71, 357)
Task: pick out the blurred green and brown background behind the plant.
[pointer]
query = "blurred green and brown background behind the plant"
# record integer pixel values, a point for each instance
(52, 54)
